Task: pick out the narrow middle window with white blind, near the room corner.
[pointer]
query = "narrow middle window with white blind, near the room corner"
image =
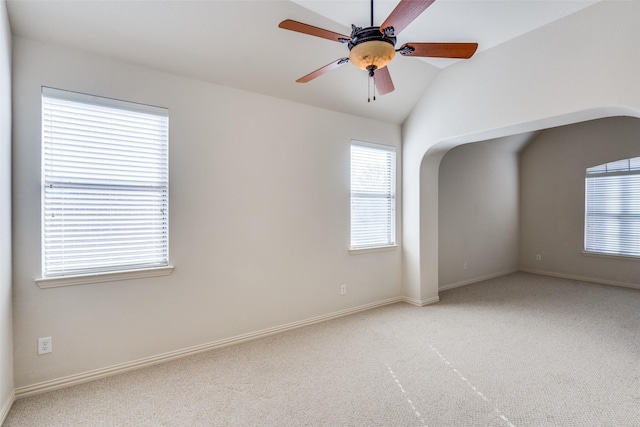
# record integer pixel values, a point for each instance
(373, 195)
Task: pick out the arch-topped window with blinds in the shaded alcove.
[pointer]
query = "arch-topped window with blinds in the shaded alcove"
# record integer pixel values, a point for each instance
(612, 208)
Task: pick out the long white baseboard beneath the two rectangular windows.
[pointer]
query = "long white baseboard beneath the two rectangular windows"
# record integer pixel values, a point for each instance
(87, 376)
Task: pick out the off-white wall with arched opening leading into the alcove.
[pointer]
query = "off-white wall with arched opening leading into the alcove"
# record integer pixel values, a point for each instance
(582, 67)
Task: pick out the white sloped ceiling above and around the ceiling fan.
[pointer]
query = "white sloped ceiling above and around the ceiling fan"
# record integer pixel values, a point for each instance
(238, 43)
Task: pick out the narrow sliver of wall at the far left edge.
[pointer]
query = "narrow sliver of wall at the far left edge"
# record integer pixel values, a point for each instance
(6, 331)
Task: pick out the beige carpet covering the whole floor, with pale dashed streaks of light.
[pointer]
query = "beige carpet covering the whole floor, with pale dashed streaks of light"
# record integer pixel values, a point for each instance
(521, 350)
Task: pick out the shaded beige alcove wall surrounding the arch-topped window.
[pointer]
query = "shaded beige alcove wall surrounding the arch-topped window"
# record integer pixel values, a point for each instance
(553, 194)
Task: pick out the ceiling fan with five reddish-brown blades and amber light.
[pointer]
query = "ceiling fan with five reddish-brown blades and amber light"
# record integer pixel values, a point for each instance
(372, 48)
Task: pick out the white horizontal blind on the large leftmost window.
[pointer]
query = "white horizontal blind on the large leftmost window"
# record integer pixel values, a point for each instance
(105, 185)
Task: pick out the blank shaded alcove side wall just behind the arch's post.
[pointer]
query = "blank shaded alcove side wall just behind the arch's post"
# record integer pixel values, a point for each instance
(478, 211)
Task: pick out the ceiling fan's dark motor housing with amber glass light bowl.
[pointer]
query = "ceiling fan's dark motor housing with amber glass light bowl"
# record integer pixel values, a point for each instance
(370, 49)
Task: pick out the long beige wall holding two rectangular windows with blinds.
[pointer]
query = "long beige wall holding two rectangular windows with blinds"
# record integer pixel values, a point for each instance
(259, 221)
